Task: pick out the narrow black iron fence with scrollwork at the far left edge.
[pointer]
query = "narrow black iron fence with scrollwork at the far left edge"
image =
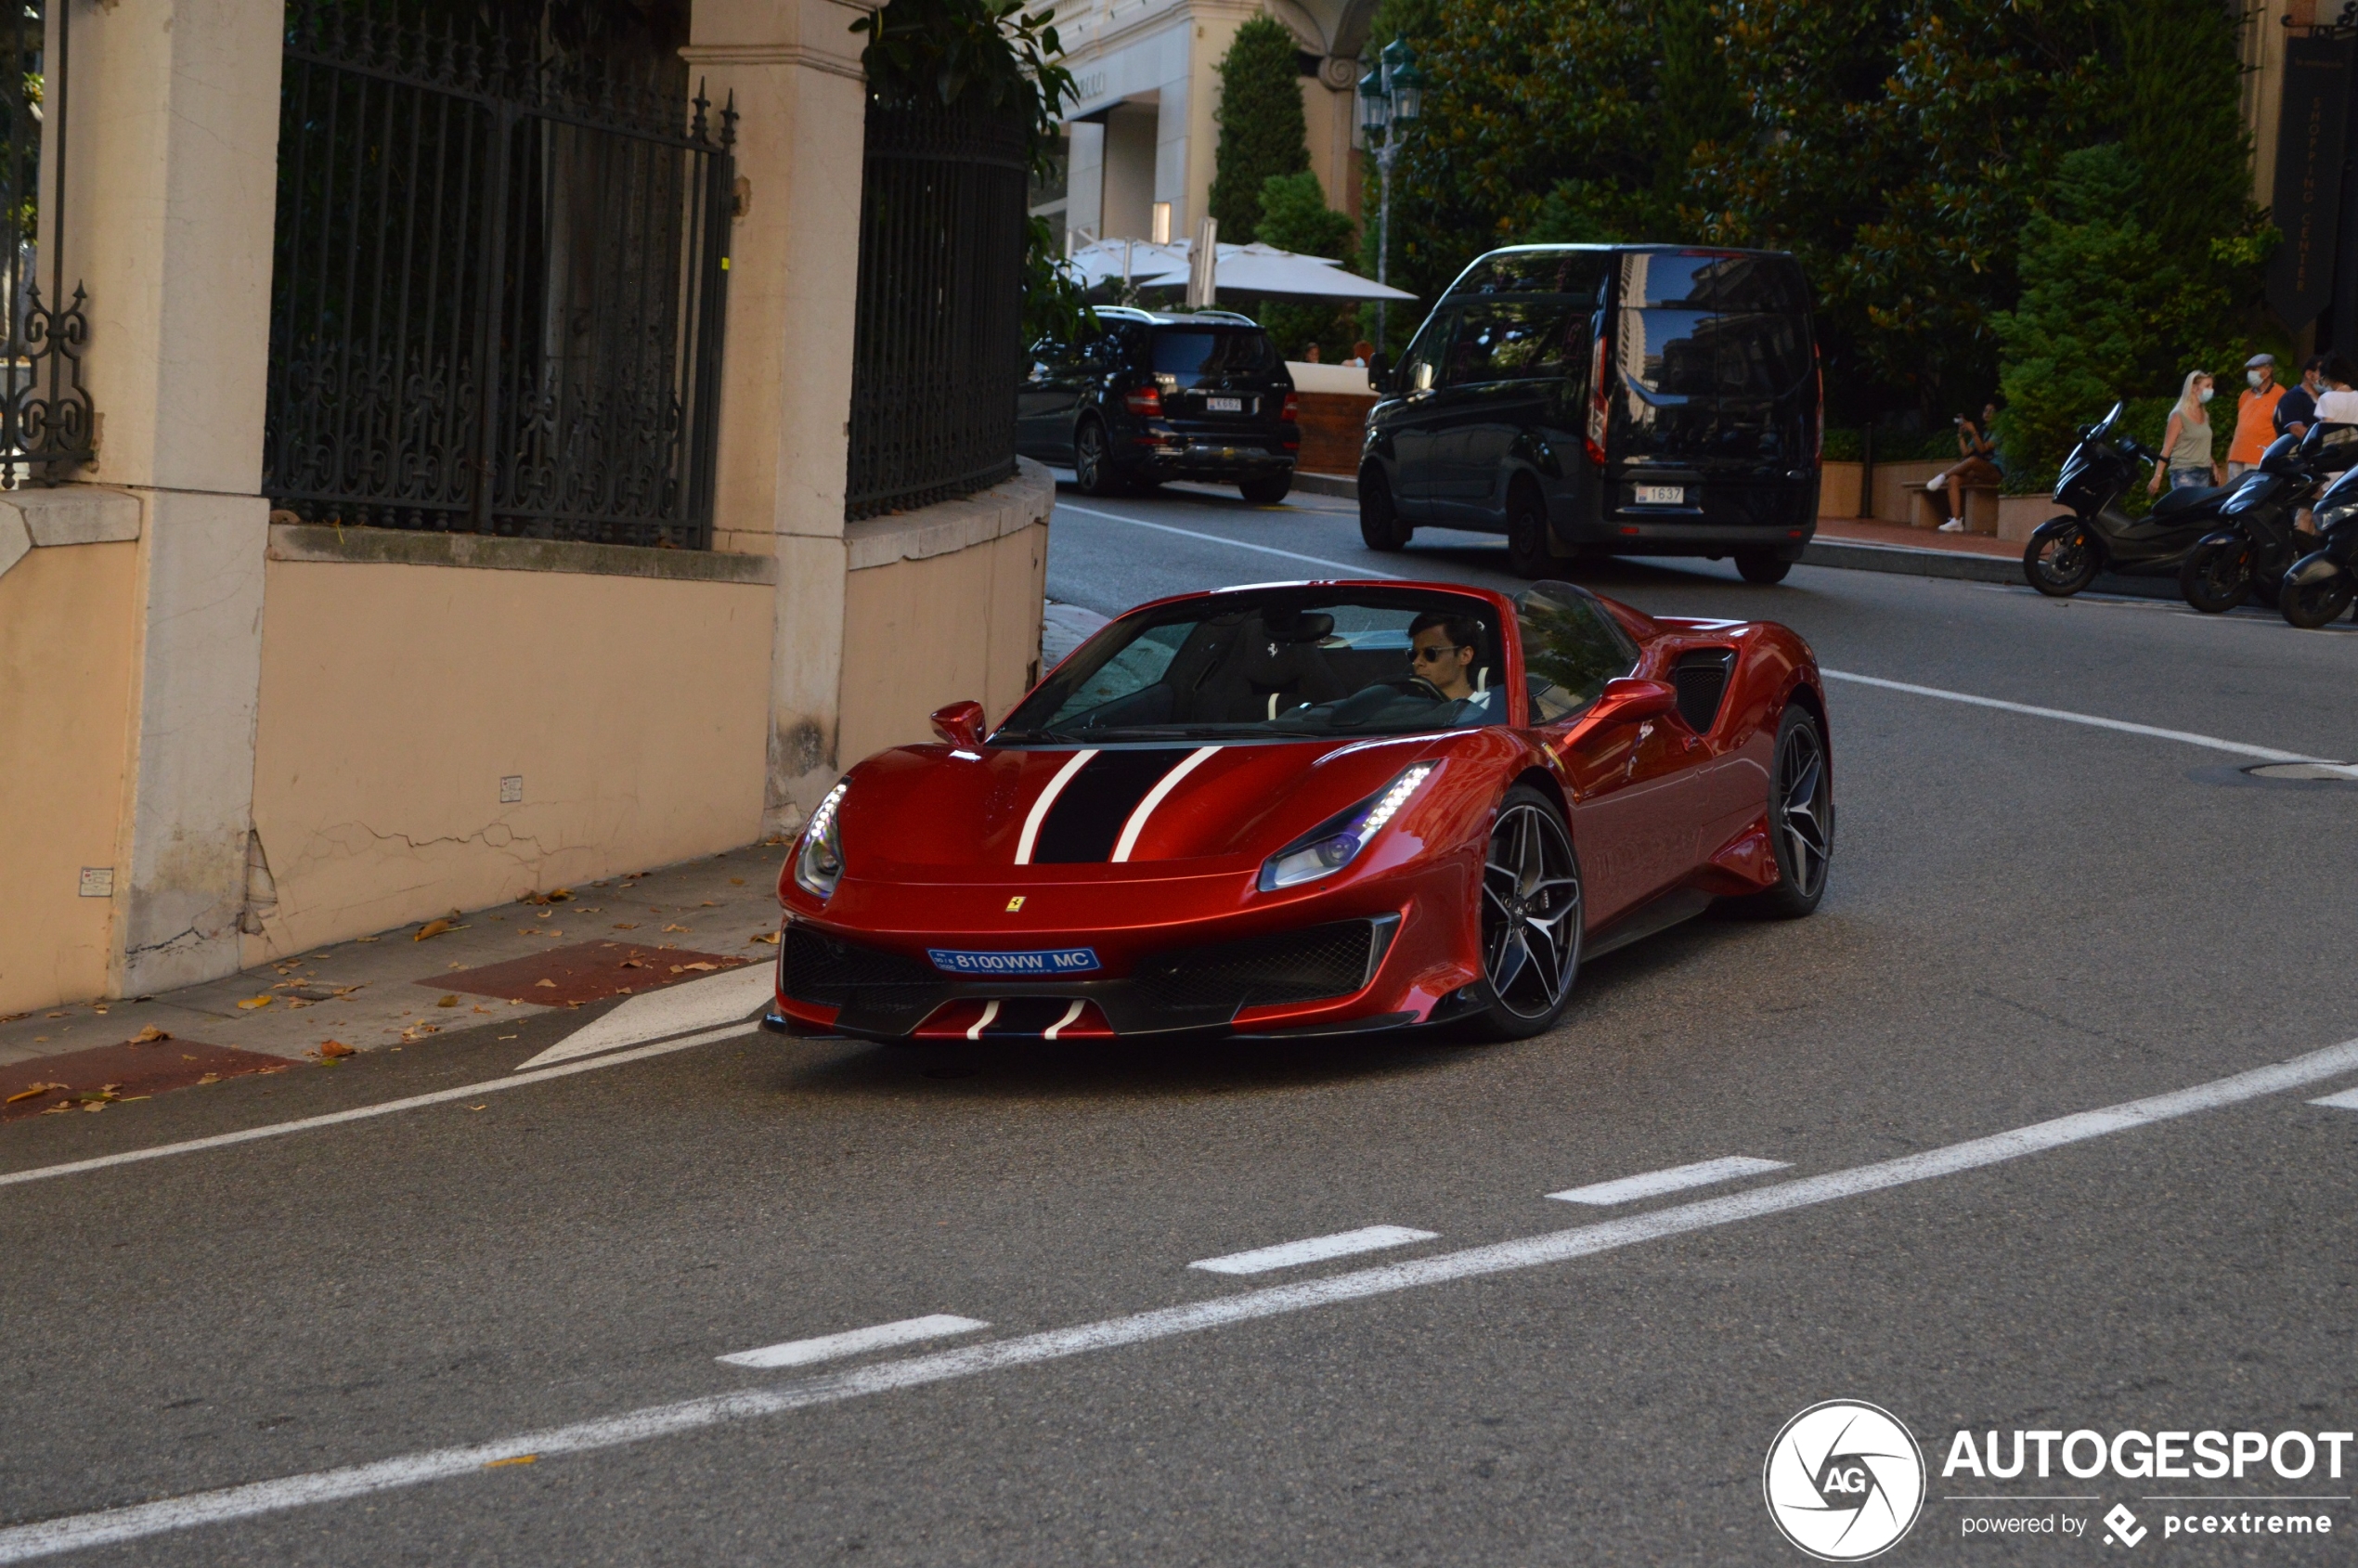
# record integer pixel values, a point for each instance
(46, 419)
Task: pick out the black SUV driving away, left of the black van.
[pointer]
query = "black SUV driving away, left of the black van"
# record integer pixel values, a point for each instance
(1164, 397)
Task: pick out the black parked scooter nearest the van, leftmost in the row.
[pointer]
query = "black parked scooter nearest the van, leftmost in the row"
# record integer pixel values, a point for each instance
(2067, 553)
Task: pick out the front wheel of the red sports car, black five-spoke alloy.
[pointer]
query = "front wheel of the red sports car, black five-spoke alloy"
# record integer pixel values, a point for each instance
(1532, 916)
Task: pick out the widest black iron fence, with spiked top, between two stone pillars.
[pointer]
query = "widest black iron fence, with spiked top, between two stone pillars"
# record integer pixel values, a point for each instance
(499, 284)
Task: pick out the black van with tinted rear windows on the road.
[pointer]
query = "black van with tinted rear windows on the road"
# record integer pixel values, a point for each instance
(1607, 400)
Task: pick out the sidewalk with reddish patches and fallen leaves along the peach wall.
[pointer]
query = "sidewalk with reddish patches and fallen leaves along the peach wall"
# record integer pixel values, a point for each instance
(402, 987)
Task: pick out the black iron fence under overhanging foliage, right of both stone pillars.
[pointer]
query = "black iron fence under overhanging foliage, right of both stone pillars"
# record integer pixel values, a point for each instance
(937, 350)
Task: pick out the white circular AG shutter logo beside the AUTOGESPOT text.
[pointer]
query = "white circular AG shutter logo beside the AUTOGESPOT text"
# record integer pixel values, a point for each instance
(1845, 1480)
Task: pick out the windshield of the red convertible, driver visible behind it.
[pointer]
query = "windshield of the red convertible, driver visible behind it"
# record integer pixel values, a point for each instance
(1277, 664)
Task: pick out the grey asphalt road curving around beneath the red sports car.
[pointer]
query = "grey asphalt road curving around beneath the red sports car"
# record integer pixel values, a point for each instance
(2029, 918)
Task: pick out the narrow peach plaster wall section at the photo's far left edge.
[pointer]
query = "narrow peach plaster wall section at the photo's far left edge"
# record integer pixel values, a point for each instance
(65, 725)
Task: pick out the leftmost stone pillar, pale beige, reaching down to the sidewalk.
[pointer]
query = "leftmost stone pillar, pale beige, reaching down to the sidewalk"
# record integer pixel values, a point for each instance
(169, 204)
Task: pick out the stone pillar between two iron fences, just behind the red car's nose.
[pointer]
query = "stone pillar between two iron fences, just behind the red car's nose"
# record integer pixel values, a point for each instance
(786, 383)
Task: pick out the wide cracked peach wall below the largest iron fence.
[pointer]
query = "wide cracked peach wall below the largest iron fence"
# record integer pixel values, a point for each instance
(395, 699)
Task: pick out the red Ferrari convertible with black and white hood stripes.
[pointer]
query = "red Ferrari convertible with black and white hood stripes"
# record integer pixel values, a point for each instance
(1312, 810)
